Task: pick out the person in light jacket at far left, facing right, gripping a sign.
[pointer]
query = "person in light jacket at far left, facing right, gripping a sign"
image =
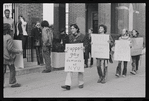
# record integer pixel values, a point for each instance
(9, 55)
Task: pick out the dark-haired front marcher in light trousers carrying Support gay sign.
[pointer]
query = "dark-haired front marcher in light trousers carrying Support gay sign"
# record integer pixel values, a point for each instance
(75, 37)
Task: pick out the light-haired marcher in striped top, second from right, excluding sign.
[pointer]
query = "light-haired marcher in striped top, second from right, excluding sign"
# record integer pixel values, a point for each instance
(124, 36)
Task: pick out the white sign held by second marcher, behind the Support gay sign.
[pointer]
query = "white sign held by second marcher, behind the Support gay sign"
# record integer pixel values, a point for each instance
(100, 46)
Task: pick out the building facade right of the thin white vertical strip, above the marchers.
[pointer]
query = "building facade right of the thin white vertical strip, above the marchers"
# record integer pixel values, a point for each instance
(115, 16)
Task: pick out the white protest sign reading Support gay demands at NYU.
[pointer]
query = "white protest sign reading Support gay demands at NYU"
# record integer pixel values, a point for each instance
(74, 58)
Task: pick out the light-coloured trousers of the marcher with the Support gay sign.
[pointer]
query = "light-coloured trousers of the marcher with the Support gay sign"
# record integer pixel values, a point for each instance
(69, 78)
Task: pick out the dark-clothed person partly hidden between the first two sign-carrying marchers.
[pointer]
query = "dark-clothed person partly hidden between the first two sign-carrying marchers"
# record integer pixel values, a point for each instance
(87, 45)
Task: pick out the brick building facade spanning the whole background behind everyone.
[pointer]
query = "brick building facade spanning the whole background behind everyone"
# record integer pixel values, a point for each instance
(115, 16)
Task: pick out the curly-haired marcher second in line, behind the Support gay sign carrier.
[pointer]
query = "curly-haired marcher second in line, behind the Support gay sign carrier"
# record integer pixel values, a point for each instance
(101, 61)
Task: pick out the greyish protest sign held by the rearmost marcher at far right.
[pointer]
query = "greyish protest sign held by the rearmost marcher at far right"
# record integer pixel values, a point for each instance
(137, 44)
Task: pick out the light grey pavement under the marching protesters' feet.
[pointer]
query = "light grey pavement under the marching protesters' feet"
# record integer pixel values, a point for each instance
(35, 85)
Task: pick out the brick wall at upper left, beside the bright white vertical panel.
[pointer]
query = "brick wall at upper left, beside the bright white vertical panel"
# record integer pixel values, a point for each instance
(31, 12)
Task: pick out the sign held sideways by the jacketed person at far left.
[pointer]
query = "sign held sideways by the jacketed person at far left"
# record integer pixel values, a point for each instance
(19, 58)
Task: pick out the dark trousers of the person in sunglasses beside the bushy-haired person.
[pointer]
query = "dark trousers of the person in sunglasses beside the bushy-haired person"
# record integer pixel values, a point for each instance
(39, 54)
